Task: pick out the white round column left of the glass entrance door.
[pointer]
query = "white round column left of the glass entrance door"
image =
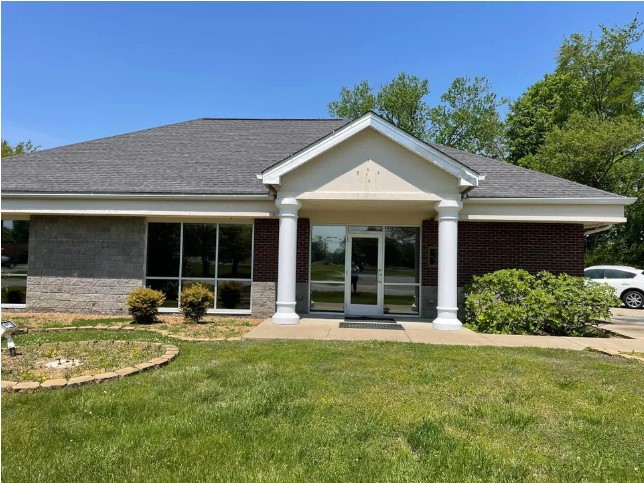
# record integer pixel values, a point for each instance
(285, 313)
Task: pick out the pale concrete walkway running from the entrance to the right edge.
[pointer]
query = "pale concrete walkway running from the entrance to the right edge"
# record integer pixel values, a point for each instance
(423, 332)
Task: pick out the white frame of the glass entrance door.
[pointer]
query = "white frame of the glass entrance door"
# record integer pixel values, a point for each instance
(362, 309)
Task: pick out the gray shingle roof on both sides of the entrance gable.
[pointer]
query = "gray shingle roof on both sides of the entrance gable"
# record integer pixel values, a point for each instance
(223, 156)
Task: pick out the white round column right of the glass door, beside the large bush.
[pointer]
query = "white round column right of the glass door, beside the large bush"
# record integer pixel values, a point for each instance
(447, 306)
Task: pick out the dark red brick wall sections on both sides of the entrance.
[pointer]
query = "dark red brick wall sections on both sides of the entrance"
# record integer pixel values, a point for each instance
(482, 248)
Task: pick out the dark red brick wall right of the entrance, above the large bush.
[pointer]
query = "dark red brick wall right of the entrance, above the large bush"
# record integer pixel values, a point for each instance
(486, 247)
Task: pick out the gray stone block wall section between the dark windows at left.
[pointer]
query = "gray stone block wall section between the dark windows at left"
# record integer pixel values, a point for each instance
(84, 264)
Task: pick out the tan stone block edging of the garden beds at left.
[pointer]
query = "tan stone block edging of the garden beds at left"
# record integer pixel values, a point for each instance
(171, 351)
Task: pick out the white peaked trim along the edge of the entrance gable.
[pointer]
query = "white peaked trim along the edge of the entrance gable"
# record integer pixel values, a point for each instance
(466, 176)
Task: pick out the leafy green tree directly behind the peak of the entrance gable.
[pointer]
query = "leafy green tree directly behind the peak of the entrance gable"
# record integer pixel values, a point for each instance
(400, 102)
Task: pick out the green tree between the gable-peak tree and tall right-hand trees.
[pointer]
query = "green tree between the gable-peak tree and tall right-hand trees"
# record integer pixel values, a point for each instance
(469, 119)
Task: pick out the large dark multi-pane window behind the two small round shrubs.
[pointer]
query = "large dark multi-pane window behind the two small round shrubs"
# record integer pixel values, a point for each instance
(216, 255)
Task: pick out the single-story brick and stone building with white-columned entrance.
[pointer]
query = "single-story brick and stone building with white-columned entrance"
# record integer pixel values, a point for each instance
(282, 218)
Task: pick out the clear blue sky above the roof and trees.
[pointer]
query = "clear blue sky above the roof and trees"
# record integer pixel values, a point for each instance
(78, 71)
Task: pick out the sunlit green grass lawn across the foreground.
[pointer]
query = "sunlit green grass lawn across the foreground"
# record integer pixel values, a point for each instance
(321, 411)
